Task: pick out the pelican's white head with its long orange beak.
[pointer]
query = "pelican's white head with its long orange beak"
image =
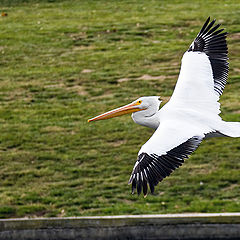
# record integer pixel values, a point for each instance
(141, 108)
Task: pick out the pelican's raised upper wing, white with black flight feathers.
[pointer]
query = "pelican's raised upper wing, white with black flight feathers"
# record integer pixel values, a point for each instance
(204, 71)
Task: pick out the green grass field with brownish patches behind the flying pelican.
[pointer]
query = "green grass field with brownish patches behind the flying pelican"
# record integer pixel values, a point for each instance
(63, 62)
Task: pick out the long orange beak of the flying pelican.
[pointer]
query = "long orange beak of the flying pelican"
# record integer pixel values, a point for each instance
(130, 108)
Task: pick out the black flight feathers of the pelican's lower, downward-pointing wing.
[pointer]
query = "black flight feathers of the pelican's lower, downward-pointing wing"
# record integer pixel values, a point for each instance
(152, 169)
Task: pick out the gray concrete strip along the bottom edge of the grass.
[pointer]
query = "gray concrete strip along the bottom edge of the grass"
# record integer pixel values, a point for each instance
(166, 226)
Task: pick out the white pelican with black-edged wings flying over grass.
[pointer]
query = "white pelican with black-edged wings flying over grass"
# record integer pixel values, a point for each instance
(190, 116)
